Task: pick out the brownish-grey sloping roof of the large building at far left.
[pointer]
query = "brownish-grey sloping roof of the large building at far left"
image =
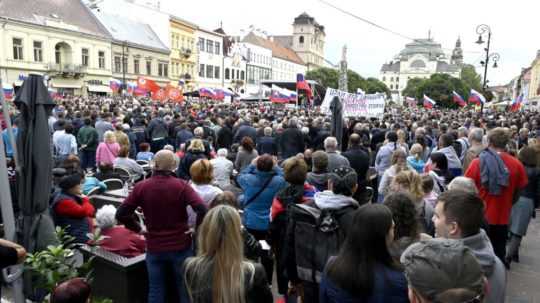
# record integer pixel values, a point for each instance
(65, 14)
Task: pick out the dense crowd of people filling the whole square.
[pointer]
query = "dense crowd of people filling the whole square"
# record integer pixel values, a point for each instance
(251, 202)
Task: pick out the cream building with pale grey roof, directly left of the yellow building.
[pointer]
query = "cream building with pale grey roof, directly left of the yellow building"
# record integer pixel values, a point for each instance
(136, 50)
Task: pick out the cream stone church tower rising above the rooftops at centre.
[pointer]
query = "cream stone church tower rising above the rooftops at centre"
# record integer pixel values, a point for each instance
(308, 41)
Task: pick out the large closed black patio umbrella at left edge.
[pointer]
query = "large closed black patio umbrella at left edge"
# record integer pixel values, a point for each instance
(34, 149)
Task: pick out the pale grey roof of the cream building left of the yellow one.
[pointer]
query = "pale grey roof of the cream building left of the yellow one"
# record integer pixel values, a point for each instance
(123, 29)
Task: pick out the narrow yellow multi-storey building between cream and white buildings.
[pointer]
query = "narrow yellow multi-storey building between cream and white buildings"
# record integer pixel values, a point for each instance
(183, 55)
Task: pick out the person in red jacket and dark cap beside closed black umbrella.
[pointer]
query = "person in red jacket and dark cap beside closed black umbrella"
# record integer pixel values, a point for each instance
(72, 210)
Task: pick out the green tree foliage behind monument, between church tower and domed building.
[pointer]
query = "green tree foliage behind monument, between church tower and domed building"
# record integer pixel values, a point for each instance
(329, 77)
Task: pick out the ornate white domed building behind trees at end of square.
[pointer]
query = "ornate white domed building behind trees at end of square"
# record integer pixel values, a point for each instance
(419, 59)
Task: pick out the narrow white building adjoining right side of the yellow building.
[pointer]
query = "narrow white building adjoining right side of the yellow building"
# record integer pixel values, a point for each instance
(210, 59)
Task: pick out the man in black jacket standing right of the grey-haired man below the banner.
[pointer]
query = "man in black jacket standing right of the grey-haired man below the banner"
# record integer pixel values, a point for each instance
(359, 161)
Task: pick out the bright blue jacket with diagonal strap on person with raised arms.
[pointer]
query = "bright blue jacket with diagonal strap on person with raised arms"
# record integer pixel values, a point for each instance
(257, 212)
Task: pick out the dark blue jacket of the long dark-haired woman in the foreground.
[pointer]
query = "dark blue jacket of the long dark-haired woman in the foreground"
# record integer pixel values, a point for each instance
(390, 286)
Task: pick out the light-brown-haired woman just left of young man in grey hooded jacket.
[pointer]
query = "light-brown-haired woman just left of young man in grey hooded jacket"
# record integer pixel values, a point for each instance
(411, 182)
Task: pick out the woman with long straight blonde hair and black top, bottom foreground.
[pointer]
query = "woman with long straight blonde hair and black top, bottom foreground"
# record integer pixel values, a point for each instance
(220, 273)
